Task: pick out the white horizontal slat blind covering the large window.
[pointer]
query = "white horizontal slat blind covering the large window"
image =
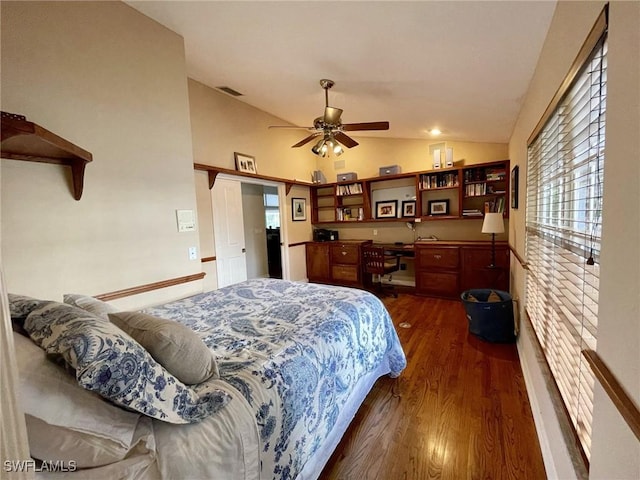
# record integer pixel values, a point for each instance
(563, 229)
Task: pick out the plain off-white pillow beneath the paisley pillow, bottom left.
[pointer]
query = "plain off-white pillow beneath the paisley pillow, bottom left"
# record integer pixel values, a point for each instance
(55, 405)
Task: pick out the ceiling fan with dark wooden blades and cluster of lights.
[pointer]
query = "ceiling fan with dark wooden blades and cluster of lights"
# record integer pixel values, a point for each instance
(331, 129)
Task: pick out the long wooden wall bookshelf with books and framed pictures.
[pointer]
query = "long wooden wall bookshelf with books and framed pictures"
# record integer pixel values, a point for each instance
(452, 193)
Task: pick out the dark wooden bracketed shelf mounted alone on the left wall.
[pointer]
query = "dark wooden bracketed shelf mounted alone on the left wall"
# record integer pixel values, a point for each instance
(24, 140)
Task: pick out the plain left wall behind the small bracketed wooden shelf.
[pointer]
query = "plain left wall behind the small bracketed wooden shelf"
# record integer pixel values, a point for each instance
(114, 82)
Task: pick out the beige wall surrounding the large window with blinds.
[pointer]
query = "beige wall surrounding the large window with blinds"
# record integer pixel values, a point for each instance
(615, 452)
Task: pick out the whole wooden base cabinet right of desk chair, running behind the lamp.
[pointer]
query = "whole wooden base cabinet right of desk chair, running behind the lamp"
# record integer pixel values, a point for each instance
(446, 269)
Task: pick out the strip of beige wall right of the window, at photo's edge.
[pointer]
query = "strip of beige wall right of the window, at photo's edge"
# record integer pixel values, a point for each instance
(619, 322)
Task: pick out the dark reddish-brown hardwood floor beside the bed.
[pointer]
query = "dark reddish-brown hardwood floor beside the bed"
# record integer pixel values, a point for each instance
(459, 410)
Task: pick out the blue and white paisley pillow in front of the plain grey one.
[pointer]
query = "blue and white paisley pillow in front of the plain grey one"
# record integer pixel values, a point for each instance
(112, 364)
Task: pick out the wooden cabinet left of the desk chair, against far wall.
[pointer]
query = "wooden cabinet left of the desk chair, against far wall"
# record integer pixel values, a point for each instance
(338, 263)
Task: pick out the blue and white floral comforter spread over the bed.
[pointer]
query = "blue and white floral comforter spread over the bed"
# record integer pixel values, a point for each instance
(294, 351)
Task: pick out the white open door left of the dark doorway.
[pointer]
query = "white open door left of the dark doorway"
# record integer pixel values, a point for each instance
(231, 264)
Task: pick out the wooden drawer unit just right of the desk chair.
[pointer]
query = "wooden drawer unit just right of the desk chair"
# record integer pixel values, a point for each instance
(437, 270)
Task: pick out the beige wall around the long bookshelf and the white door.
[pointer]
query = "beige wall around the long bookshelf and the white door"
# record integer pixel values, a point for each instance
(222, 125)
